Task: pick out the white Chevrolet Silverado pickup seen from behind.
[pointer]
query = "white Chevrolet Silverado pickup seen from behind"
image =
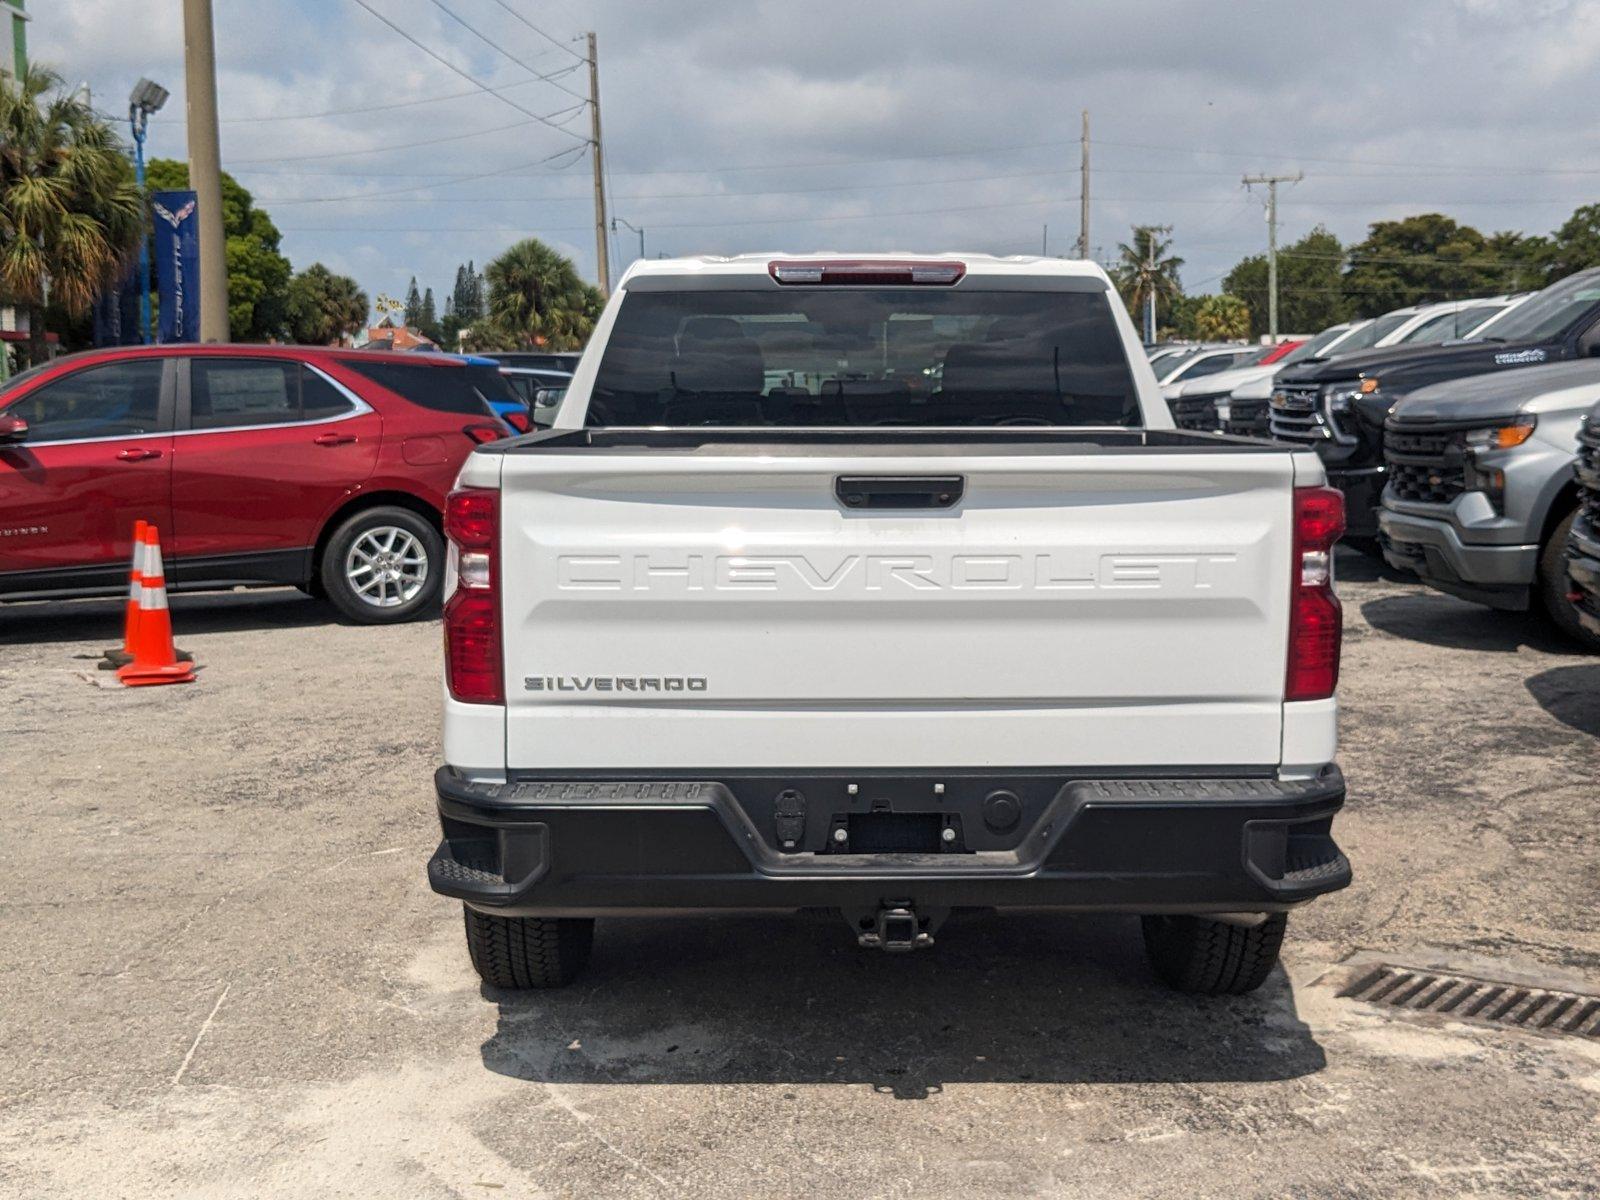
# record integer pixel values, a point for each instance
(886, 586)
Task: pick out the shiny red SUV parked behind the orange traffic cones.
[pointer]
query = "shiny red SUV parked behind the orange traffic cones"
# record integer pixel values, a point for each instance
(260, 465)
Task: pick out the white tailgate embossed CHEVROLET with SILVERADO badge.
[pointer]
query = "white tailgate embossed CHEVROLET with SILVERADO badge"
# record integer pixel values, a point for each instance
(705, 612)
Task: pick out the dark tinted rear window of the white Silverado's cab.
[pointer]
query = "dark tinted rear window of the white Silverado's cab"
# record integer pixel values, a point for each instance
(865, 358)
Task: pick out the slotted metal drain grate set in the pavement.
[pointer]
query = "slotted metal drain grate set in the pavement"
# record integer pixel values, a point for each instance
(1466, 999)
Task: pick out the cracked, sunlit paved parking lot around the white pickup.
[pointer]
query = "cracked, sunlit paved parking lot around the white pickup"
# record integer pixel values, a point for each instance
(225, 975)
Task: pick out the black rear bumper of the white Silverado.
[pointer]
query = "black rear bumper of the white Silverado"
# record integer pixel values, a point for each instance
(604, 847)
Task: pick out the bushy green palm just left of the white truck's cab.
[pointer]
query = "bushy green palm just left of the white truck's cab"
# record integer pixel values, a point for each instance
(537, 298)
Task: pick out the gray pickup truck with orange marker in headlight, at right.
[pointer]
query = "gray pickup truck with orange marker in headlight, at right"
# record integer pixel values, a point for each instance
(1482, 492)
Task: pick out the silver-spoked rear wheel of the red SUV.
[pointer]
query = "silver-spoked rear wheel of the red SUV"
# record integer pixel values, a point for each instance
(383, 566)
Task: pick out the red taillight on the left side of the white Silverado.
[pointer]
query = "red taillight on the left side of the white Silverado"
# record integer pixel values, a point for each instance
(473, 625)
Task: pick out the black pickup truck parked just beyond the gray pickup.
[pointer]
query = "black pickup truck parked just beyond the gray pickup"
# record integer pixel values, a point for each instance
(1340, 406)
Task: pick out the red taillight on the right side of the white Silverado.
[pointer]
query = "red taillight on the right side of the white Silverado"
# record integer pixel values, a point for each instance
(1316, 618)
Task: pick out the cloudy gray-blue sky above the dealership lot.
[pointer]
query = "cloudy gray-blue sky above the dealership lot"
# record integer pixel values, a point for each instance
(841, 126)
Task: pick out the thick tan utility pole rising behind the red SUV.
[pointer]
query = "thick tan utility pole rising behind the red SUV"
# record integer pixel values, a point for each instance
(206, 166)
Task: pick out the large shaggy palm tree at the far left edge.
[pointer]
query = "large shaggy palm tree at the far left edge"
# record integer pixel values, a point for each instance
(70, 212)
